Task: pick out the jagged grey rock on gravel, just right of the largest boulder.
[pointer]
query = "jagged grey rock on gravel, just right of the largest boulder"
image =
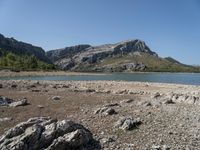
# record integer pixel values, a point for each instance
(128, 123)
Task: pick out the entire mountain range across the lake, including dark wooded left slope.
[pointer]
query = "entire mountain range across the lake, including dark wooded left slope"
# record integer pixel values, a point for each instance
(125, 56)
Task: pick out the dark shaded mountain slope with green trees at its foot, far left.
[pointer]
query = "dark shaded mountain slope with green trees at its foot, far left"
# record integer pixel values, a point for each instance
(20, 55)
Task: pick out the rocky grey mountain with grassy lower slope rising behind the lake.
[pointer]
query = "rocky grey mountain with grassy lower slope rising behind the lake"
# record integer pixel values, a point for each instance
(125, 56)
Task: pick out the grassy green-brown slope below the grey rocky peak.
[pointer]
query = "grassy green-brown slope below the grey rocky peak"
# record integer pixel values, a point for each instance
(152, 63)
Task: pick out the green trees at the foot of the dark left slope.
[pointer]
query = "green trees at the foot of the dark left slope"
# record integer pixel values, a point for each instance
(22, 62)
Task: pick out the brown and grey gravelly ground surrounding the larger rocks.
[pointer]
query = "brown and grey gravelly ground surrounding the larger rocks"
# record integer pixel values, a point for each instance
(174, 125)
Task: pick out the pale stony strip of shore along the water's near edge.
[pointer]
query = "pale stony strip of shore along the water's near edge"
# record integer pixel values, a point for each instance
(104, 86)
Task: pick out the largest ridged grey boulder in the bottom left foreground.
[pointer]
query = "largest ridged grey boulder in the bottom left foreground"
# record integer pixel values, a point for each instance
(46, 133)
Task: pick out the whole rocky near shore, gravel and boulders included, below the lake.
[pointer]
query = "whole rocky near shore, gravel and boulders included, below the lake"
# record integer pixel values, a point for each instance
(101, 114)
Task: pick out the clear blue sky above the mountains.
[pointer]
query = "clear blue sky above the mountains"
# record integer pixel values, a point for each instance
(169, 27)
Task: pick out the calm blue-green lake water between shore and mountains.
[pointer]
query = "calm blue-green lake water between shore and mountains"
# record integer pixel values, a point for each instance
(182, 78)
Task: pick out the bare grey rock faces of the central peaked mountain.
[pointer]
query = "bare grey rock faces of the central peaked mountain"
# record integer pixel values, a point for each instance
(72, 58)
